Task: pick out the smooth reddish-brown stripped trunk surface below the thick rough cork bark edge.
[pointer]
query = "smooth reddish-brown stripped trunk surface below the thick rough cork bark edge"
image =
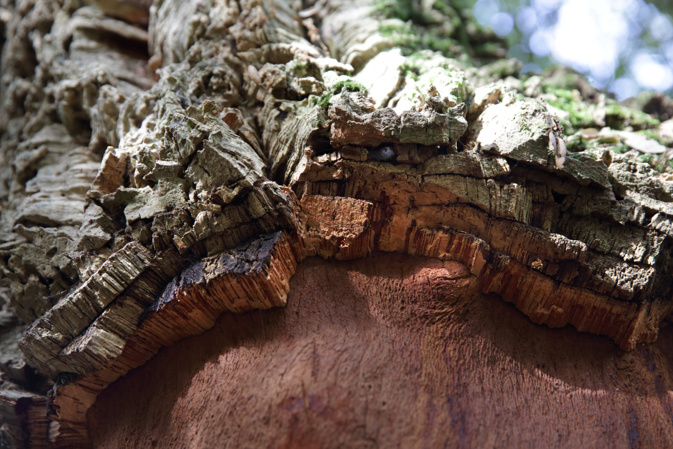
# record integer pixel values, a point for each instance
(391, 351)
